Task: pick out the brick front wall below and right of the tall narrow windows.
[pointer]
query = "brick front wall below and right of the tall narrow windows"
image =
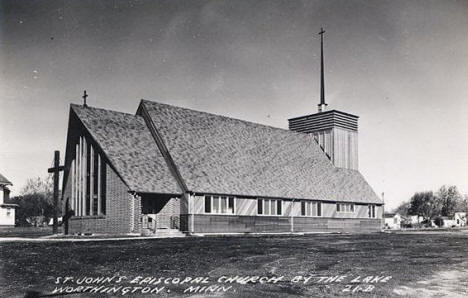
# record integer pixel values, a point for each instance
(117, 219)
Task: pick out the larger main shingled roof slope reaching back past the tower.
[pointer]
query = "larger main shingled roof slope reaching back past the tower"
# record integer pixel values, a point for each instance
(221, 155)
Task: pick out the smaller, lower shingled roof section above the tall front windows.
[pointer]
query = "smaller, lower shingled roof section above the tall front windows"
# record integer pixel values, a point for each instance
(129, 146)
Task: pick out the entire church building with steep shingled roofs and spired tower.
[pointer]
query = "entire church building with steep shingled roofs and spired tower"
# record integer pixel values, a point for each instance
(167, 170)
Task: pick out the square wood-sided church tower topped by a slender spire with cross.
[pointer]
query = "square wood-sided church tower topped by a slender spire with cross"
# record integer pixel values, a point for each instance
(335, 132)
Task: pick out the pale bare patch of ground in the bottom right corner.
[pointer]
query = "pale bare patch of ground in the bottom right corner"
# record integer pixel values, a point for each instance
(448, 283)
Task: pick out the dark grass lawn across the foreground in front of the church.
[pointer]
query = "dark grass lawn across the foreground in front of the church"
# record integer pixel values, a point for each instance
(417, 263)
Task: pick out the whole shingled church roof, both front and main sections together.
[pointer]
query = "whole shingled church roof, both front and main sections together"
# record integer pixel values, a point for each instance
(219, 155)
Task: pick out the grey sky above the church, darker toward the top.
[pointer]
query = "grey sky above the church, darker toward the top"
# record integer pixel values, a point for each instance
(402, 66)
